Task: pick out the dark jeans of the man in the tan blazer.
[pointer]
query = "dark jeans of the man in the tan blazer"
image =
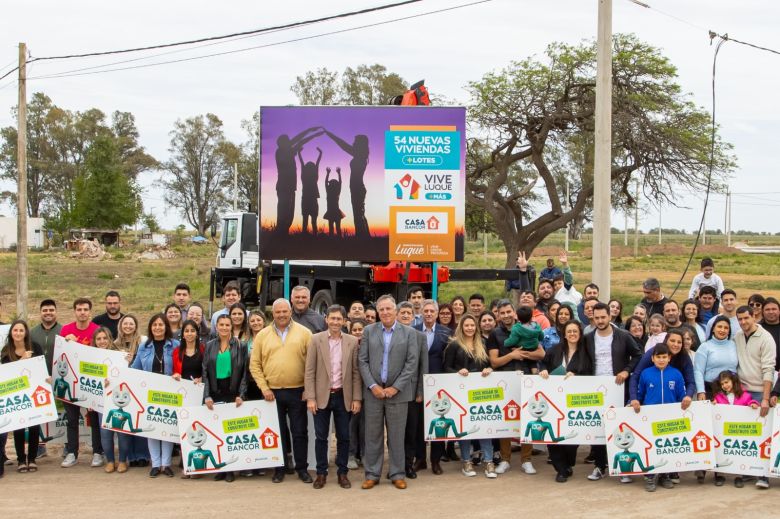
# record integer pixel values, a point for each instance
(322, 429)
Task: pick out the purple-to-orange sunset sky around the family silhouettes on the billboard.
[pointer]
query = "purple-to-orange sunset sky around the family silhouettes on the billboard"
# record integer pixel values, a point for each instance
(345, 122)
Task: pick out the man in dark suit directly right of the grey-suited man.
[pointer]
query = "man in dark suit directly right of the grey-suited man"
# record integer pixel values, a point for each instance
(435, 338)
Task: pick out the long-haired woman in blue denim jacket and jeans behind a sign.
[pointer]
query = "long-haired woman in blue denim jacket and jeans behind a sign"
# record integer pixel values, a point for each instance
(156, 355)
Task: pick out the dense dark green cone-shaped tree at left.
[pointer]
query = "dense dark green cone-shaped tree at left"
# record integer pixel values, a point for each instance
(104, 196)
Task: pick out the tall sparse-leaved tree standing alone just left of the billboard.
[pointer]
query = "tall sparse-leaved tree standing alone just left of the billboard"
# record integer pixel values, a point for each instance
(197, 170)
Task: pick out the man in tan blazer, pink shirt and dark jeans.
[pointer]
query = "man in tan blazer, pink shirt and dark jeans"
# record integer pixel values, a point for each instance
(332, 385)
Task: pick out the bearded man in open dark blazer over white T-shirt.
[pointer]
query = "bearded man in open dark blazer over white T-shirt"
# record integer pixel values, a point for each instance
(615, 353)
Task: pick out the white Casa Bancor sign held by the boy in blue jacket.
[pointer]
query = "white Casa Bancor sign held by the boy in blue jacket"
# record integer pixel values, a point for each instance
(659, 439)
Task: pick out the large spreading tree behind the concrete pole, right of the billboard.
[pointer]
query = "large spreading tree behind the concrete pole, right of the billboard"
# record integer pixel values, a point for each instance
(529, 115)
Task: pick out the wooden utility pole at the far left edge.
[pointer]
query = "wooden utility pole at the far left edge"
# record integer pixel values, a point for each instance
(21, 190)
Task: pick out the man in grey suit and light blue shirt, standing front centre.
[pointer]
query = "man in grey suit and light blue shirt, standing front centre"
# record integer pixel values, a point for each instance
(388, 361)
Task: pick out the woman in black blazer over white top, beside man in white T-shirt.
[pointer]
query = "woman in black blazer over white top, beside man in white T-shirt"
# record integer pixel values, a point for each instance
(567, 358)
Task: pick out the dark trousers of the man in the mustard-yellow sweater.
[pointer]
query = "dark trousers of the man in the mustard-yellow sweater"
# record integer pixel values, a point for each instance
(289, 403)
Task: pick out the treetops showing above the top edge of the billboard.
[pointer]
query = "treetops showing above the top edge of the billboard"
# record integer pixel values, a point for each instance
(363, 85)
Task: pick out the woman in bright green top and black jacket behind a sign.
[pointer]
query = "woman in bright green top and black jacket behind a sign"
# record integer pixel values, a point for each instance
(224, 373)
